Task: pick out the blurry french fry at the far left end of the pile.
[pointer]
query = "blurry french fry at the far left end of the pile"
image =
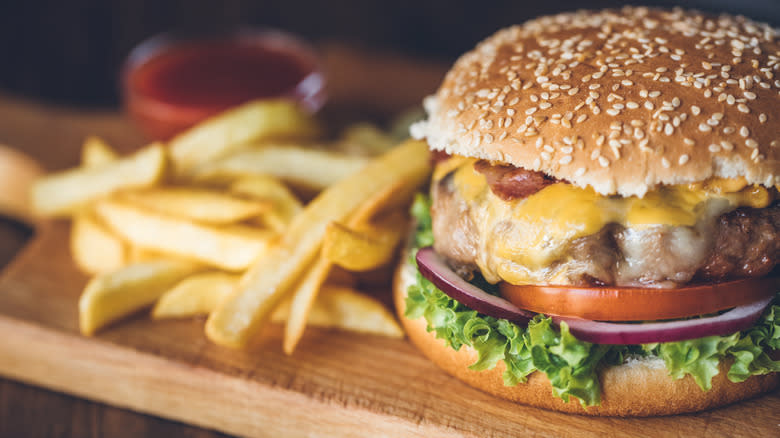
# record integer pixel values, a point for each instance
(65, 192)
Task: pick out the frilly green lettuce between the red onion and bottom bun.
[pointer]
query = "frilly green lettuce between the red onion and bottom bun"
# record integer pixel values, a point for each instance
(572, 365)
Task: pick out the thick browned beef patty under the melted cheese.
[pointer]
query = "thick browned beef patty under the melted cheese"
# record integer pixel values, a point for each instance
(741, 243)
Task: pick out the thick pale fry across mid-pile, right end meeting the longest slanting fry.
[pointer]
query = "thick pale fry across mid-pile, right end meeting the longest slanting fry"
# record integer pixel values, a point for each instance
(232, 248)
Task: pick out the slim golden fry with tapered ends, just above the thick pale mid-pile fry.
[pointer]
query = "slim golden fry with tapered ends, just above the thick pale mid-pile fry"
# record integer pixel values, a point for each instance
(200, 205)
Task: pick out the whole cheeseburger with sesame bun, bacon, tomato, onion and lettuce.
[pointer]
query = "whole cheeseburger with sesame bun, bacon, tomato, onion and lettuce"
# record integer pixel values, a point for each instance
(601, 230)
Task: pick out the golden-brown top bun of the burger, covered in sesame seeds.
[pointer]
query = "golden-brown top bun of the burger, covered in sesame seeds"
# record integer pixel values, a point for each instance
(619, 100)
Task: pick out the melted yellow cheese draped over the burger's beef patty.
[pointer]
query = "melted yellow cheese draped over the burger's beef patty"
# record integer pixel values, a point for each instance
(519, 238)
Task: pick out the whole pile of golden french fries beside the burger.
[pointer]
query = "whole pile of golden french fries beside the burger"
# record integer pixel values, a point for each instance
(210, 224)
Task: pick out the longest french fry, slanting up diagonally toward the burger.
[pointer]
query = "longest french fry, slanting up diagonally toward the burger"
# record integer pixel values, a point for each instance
(270, 279)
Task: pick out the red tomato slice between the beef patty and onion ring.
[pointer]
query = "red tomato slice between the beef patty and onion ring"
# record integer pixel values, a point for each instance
(638, 304)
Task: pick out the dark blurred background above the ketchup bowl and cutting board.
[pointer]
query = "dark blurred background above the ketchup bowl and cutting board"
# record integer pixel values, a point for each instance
(70, 51)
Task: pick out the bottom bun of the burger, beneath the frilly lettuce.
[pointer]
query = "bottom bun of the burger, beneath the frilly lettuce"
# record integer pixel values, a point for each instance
(640, 387)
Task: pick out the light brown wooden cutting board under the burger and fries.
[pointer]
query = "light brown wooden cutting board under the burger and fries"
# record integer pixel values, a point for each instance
(336, 384)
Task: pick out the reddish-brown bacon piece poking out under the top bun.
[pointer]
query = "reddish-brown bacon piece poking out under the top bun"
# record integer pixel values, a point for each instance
(510, 182)
